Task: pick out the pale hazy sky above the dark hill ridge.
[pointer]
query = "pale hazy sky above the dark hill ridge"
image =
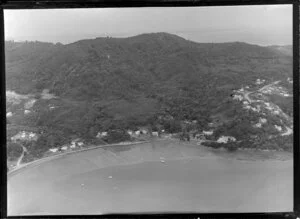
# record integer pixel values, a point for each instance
(261, 25)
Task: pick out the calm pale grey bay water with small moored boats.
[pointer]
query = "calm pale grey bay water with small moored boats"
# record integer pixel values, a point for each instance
(162, 176)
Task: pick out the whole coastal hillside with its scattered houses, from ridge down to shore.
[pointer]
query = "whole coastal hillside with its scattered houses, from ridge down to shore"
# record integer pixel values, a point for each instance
(59, 93)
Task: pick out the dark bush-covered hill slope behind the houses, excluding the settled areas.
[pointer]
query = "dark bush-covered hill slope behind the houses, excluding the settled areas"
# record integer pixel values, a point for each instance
(109, 82)
